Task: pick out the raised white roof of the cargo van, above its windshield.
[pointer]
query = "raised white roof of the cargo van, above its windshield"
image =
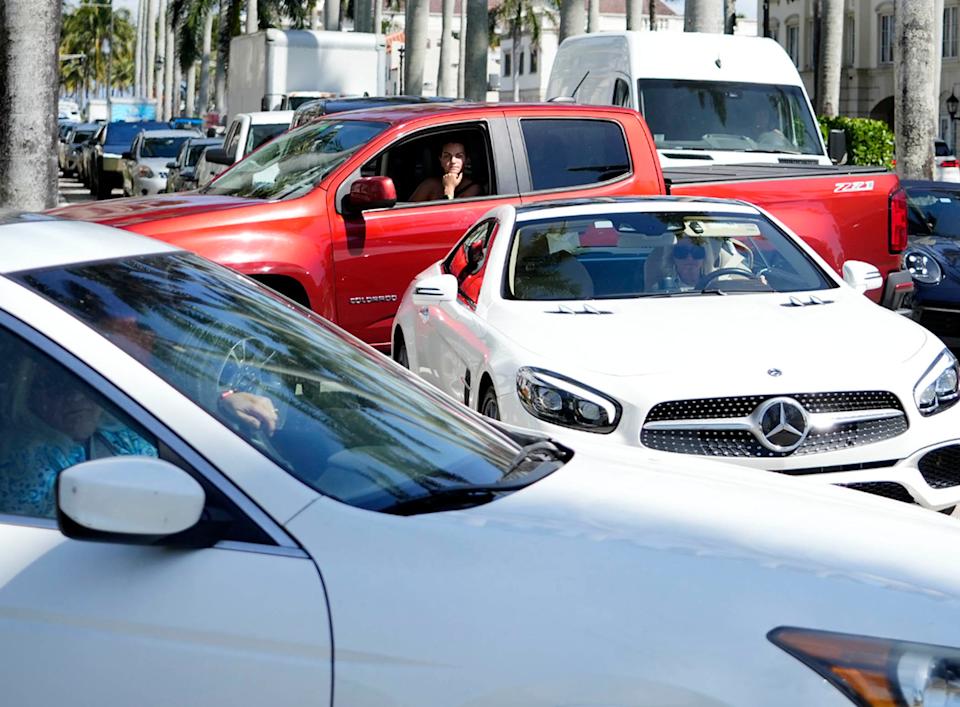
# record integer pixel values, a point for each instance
(679, 55)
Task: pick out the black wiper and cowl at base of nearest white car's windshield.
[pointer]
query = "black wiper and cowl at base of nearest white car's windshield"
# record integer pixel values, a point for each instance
(545, 457)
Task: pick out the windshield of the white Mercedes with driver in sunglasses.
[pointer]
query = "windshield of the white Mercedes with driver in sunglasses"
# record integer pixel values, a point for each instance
(655, 254)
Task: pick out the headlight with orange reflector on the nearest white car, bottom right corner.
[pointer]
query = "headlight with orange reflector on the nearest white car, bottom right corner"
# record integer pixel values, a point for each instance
(877, 671)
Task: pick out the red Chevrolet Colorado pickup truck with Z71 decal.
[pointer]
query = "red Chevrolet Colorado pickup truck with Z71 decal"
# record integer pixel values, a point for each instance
(322, 213)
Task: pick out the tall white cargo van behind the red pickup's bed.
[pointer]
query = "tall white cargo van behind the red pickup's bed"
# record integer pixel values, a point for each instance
(707, 98)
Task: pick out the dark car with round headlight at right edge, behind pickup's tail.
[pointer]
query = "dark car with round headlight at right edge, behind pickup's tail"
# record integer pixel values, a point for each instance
(933, 256)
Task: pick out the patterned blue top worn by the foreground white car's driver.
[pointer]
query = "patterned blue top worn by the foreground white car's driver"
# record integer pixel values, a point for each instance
(29, 470)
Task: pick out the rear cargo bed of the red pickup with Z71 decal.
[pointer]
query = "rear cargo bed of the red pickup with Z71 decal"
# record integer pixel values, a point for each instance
(842, 212)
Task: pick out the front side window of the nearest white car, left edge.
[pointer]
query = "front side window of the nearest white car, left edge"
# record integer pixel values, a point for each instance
(50, 421)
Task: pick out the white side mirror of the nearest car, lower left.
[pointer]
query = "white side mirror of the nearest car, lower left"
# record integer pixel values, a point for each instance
(141, 498)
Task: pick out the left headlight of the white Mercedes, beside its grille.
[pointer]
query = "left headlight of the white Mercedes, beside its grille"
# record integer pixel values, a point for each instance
(561, 401)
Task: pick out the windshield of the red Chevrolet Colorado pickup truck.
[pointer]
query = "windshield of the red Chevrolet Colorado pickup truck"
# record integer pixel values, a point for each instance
(295, 162)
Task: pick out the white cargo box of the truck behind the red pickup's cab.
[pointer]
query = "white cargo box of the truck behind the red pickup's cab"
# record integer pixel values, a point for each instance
(267, 65)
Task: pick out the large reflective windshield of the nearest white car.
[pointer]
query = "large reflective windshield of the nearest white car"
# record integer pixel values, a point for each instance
(350, 424)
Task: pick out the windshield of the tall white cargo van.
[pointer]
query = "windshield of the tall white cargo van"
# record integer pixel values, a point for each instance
(707, 115)
